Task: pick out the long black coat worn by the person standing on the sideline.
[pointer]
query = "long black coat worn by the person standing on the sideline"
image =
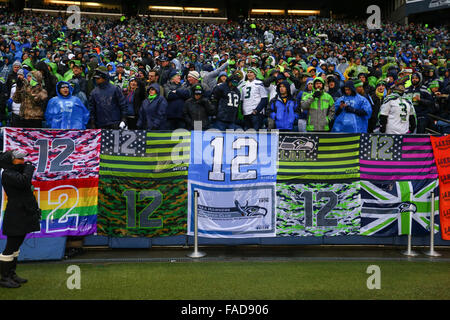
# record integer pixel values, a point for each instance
(21, 210)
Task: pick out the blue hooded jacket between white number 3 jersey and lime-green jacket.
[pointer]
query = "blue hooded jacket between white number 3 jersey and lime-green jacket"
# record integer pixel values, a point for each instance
(283, 113)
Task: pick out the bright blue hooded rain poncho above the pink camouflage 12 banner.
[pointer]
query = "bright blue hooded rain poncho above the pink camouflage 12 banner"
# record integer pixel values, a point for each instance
(66, 112)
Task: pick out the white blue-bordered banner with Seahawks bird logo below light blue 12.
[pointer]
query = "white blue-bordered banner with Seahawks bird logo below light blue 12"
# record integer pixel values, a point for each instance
(238, 211)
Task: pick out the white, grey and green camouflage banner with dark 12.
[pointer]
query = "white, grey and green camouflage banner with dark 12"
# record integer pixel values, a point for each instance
(318, 209)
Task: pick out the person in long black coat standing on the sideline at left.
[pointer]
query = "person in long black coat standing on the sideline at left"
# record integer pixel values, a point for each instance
(22, 214)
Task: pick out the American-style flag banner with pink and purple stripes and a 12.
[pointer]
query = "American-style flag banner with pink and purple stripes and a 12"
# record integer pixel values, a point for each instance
(396, 157)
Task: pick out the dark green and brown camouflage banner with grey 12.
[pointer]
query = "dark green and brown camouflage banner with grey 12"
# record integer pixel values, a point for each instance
(142, 208)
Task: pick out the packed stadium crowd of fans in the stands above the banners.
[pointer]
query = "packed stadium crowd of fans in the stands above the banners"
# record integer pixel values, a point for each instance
(307, 75)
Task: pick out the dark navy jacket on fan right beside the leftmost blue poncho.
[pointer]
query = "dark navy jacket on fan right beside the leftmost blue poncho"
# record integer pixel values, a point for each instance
(107, 105)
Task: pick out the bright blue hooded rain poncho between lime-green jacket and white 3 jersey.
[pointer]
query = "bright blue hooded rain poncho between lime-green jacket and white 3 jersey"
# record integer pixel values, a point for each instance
(349, 121)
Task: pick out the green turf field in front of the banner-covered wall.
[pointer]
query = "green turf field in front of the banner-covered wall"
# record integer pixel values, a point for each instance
(235, 280)
